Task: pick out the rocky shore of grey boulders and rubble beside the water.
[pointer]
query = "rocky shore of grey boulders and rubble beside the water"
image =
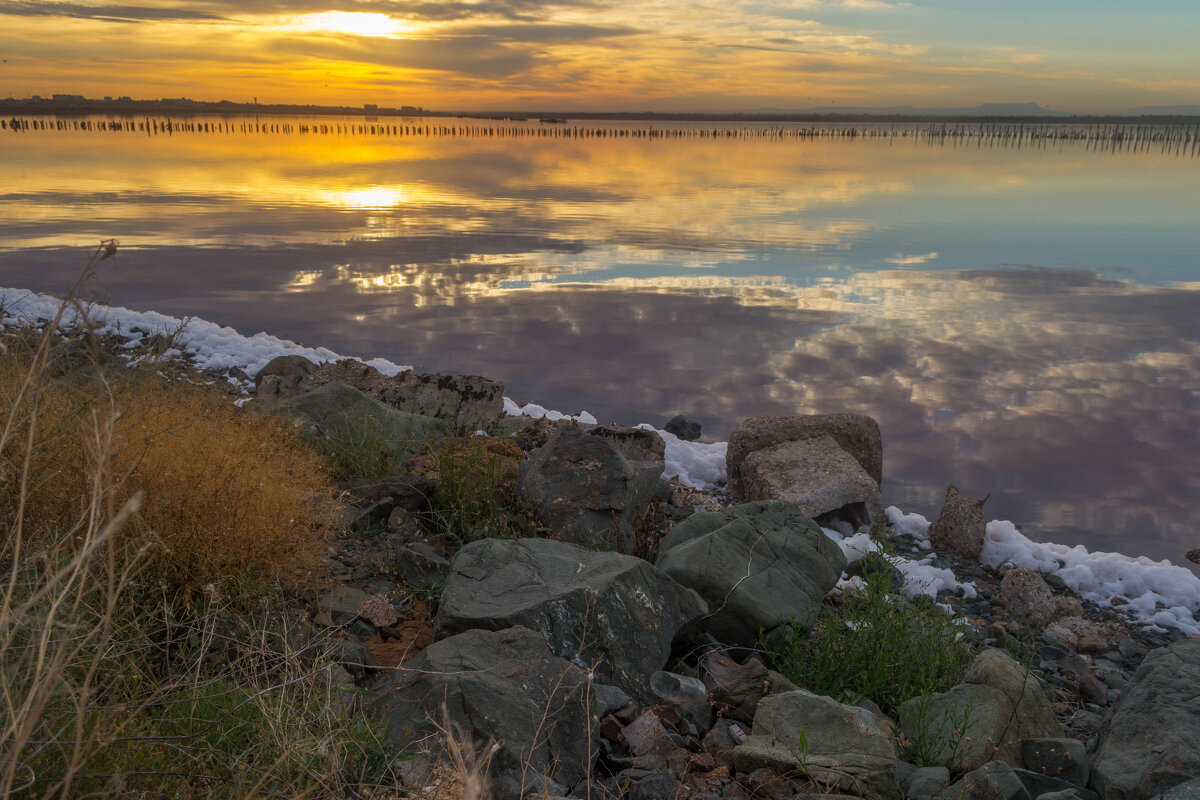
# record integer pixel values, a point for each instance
(622, 645)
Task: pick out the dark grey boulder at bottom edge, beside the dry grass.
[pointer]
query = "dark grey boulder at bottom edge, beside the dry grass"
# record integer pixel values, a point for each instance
(502, 687)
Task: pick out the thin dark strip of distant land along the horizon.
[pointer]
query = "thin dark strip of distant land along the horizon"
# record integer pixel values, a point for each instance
(80, 107)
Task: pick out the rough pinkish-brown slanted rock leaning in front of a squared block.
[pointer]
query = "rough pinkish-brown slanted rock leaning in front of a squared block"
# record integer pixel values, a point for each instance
(818, 476)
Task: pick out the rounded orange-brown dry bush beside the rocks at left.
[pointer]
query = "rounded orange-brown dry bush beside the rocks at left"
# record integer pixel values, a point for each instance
(236, 500)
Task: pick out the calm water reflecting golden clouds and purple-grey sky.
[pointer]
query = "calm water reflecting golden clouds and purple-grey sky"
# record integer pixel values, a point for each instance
(1023, 322)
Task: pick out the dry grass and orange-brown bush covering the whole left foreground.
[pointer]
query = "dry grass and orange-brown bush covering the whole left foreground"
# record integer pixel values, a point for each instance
(130, 508)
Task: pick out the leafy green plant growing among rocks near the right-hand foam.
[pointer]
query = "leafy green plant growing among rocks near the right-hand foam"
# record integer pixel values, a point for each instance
(878, 645)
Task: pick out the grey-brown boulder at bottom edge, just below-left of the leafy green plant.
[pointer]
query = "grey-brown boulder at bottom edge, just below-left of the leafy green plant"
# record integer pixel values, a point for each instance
(838, 747)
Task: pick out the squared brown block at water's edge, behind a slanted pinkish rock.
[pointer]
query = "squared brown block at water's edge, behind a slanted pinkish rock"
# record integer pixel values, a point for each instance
(855, 434)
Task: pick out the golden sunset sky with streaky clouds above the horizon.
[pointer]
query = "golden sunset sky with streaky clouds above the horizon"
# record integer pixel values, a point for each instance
(1071, 56)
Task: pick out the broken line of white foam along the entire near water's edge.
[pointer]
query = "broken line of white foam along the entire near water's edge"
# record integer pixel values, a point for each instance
(1157, 593)
